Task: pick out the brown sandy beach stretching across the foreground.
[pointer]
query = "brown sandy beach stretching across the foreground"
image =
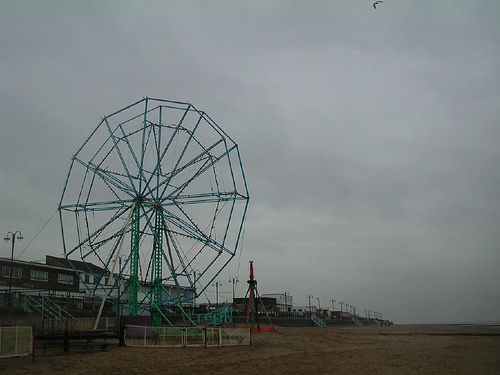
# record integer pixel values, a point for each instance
(400, 349)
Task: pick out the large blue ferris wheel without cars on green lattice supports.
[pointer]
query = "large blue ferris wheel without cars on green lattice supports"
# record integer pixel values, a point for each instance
(159, 185)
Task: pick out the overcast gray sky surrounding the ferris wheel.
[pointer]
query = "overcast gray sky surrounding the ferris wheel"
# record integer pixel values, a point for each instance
(370, 138)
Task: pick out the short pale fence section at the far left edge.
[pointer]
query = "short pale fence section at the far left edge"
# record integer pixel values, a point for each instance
(16, 341)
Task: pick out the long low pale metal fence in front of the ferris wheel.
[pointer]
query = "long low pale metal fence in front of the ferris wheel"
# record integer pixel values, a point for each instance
(186, 336)
